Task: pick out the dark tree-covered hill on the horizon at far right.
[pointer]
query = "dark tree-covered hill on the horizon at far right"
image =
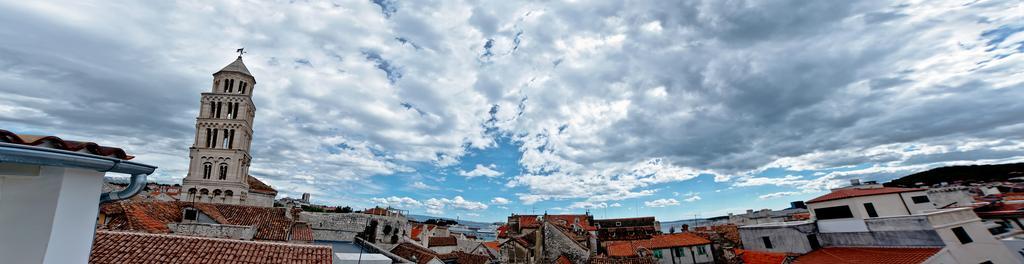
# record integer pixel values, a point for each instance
(968, 173)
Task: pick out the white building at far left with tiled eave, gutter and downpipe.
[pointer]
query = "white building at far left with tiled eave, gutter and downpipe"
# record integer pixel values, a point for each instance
(51, 194)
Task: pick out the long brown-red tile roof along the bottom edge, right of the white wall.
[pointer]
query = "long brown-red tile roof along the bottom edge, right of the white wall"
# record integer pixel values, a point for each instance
(112, 248)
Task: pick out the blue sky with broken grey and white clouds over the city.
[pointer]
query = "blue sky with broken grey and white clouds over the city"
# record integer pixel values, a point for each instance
(481, 109)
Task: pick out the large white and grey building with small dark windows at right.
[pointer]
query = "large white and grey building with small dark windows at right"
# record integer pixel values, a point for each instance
(872, 216)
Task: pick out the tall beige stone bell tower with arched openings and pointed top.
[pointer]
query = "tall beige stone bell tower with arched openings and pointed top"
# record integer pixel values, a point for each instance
(219, 169)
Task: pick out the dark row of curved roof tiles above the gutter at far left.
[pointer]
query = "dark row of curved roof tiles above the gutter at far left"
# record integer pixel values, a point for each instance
(59, 144)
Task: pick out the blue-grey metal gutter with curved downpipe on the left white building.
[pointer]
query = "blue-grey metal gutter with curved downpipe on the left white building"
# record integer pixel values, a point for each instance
(11, 153)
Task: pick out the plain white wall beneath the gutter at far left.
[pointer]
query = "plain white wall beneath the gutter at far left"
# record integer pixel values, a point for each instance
(48, 214)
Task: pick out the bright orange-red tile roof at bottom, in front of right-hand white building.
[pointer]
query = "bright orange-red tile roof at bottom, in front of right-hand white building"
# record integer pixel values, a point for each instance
(868, 255)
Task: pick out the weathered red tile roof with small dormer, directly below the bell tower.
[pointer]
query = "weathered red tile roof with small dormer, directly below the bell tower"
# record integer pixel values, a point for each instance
(272, 225)
